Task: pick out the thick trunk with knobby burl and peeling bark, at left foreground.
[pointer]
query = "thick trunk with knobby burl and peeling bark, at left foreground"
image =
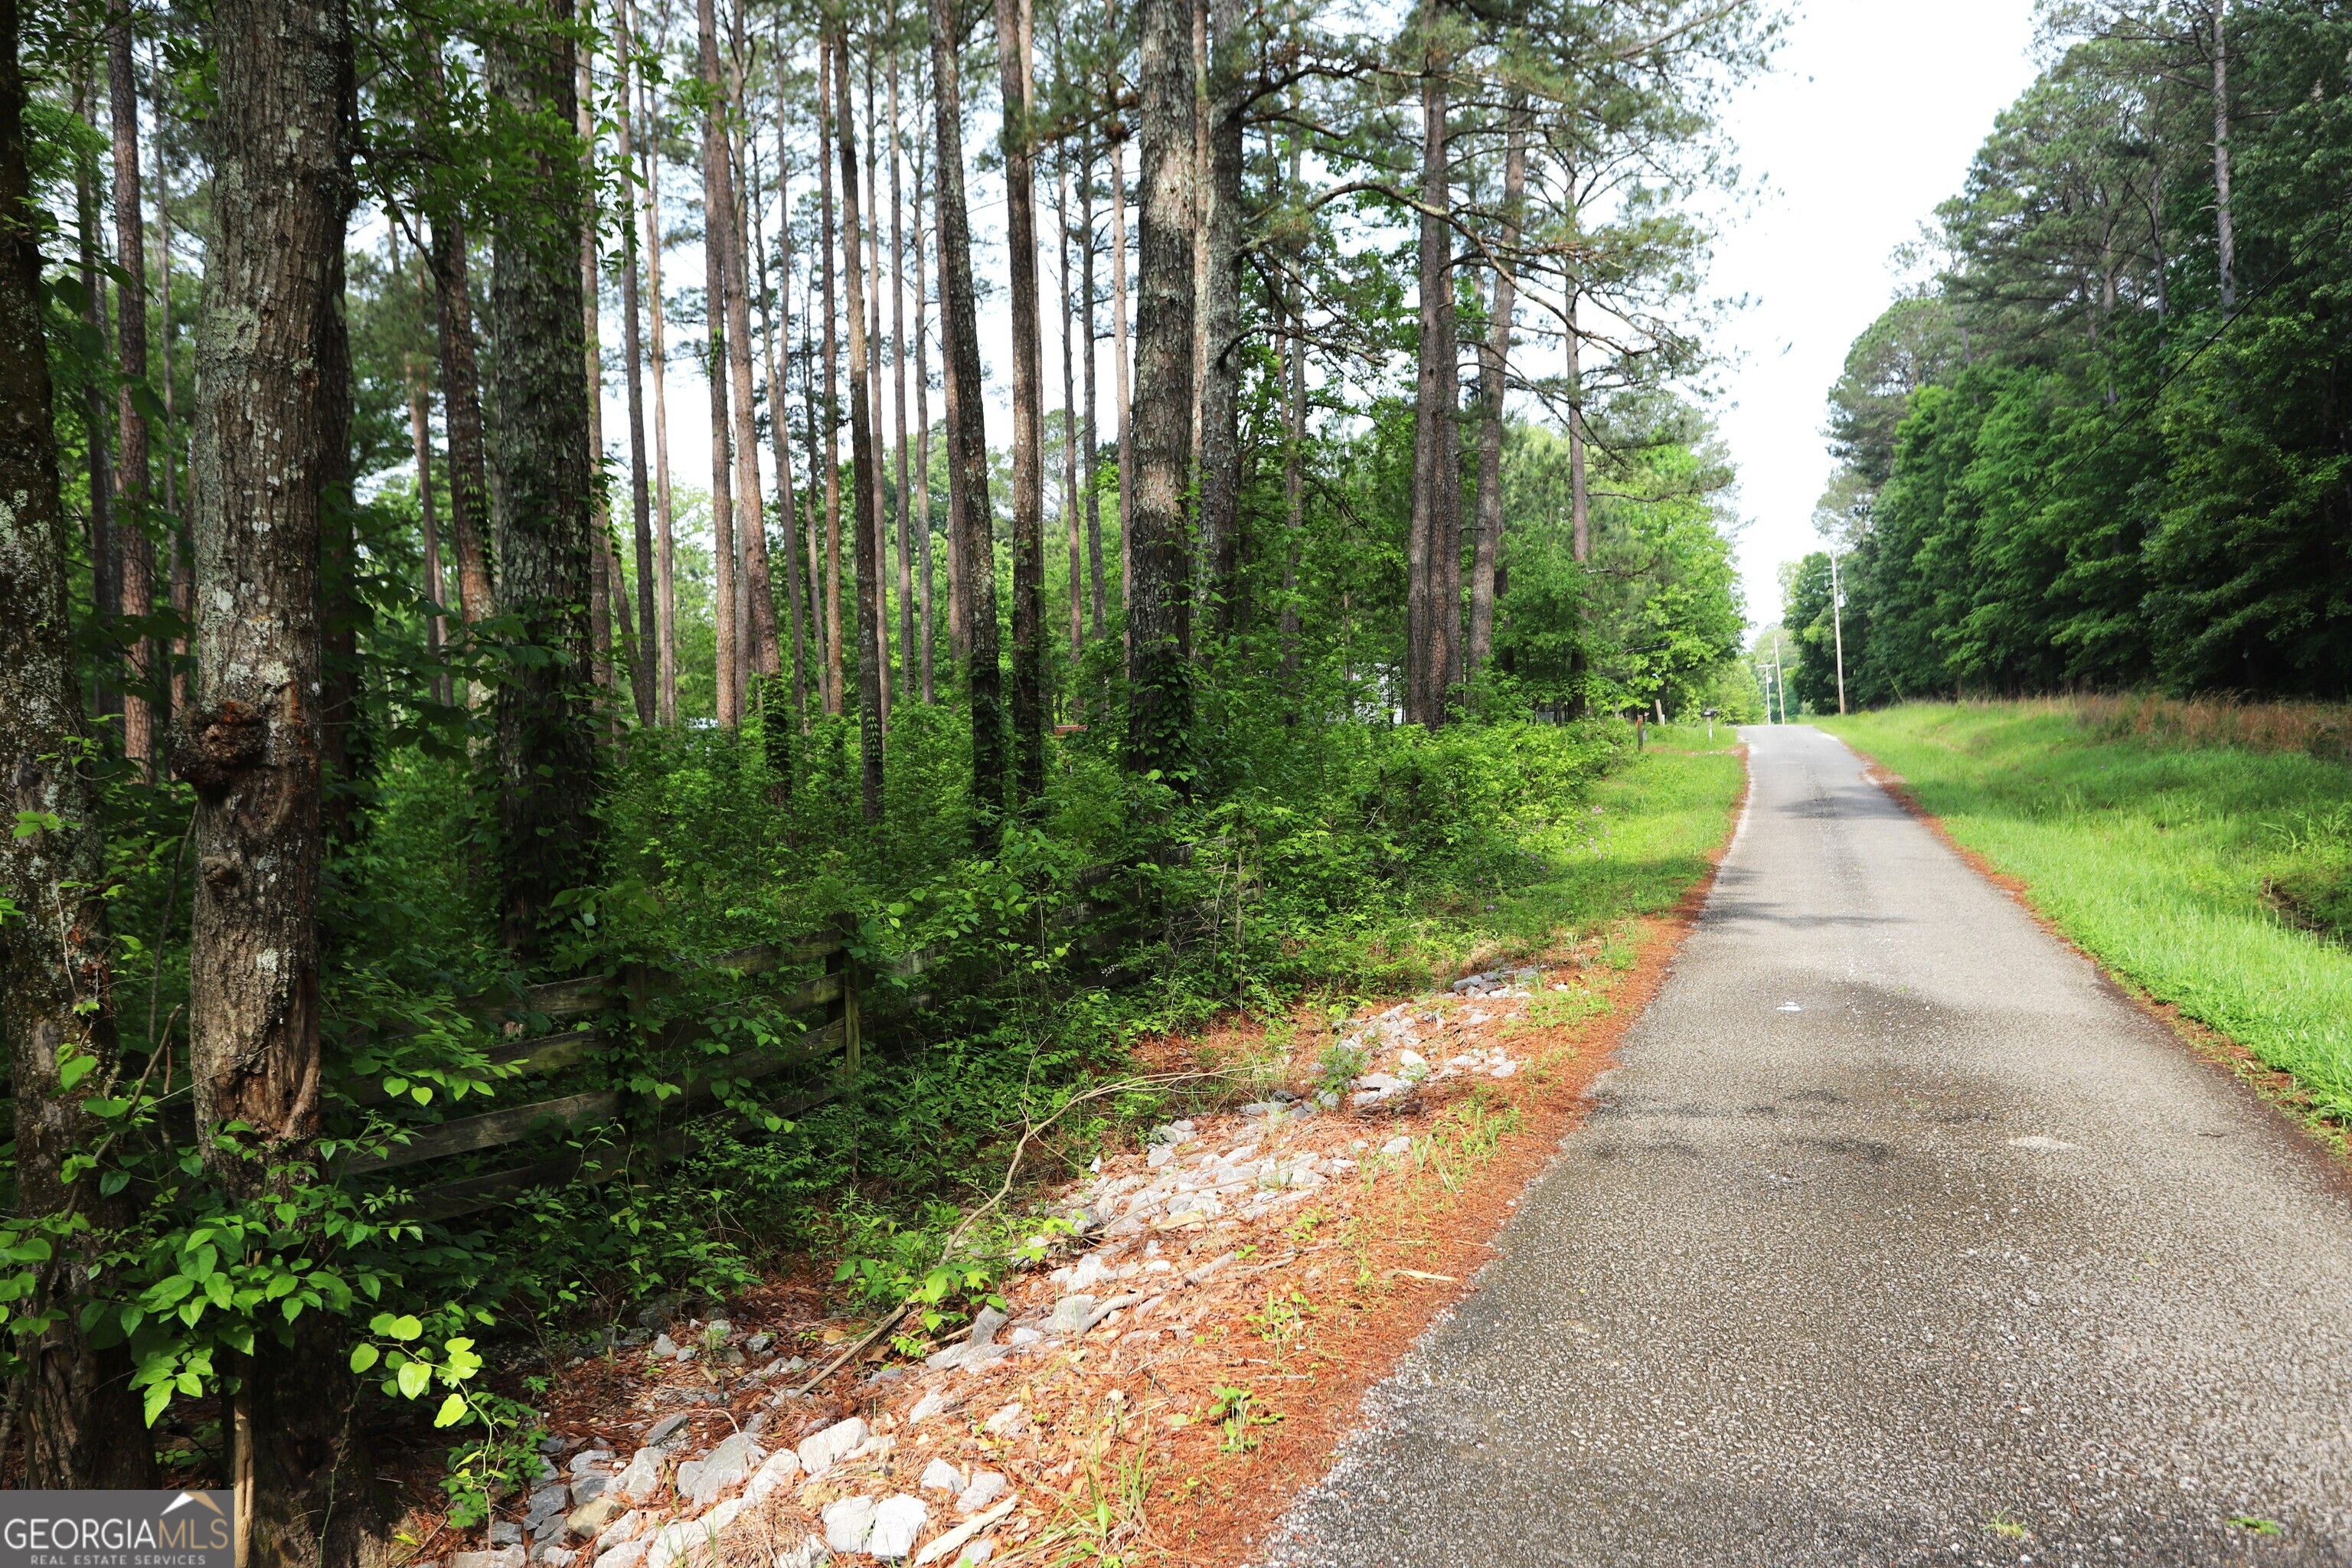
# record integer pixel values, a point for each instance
(269, 438)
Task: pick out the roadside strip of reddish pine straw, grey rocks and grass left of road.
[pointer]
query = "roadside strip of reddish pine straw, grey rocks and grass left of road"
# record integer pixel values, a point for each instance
(1241, 1329)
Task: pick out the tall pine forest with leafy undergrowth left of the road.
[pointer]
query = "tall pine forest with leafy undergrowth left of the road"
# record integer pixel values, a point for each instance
(387, 695)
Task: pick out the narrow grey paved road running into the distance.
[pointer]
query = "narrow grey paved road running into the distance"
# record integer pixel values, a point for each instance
(1897, 1238)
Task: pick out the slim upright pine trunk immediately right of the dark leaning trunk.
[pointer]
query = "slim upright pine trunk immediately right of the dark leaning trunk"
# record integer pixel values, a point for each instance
(1029, 403)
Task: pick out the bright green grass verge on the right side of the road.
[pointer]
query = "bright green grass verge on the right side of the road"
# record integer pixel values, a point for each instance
(2212, 878)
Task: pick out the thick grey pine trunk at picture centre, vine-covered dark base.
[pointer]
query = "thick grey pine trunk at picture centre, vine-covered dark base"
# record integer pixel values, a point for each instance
(1161, 594)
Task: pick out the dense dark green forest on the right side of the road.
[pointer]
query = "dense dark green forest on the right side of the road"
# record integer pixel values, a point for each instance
(2109, 443)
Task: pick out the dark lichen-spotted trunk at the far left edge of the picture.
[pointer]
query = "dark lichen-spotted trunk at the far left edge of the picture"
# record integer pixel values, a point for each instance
(81, 1421)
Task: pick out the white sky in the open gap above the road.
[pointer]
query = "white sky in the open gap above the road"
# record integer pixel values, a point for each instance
(1869, 121)
